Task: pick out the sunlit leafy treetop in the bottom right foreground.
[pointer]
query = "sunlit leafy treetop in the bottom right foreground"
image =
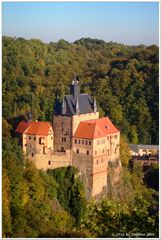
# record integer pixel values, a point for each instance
(110, 219)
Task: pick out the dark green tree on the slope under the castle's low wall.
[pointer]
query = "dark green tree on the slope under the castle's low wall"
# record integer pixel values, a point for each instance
(71, 194)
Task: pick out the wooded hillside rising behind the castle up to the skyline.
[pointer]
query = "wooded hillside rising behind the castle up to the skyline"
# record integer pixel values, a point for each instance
(124, 80)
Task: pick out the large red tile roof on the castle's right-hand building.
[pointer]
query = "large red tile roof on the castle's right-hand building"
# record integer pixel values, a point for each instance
(98, 128)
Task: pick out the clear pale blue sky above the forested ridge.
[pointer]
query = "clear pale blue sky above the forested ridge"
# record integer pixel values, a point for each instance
(131, 23)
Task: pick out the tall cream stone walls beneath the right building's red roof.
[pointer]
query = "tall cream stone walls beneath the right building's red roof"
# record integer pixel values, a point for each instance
(94, 166)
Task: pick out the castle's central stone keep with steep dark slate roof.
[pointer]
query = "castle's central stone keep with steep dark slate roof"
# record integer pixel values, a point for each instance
(69, 113)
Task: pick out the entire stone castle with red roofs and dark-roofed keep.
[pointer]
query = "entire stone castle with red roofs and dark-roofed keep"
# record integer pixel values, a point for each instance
(77, 137)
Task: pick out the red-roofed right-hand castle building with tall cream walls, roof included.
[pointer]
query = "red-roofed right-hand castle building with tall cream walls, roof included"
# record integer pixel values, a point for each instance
(95, 149)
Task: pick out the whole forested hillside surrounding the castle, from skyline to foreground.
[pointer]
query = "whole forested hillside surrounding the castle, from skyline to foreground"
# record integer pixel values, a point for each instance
(125, 82)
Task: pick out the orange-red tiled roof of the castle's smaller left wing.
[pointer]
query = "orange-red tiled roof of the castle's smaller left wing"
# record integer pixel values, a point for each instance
(34, 128)
